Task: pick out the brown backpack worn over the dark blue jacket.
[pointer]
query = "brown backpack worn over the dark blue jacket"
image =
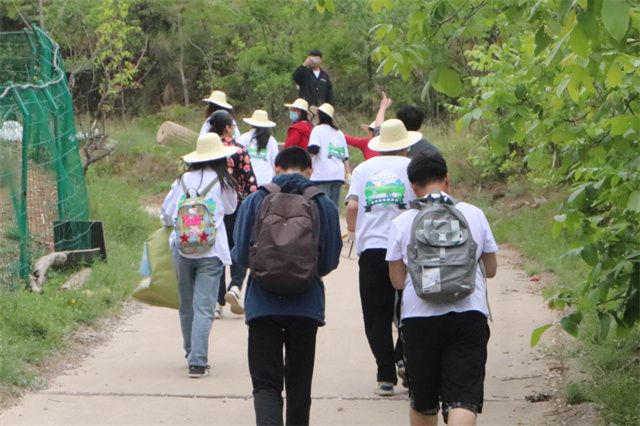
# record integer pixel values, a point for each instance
(284, 256)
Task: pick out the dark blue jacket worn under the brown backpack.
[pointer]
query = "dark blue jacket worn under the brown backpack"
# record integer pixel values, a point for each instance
(259, 302)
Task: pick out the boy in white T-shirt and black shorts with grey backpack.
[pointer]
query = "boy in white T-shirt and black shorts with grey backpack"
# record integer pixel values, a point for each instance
(445, 343)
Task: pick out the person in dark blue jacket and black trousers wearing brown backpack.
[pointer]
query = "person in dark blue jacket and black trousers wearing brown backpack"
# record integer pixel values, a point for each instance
(278, 320)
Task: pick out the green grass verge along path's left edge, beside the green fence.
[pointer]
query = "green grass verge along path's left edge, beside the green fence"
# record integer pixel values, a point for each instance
(33, 326)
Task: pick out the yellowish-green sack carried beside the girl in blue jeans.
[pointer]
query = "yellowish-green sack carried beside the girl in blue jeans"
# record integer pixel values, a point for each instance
(161, 288)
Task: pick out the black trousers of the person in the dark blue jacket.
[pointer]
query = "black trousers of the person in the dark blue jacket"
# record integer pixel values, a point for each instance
(269, 371)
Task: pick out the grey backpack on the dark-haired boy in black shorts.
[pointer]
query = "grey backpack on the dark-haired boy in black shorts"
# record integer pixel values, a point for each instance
(441, 253)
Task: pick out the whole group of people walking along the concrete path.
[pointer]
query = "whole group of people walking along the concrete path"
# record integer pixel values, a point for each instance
(230, 187)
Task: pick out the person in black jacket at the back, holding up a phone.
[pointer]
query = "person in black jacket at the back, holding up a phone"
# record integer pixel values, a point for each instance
(313, 82)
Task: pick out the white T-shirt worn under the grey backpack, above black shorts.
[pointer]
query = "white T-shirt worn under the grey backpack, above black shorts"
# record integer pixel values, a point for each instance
(414, 306)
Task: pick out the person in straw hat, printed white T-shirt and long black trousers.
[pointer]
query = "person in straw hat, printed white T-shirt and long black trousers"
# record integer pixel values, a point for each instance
(378, 193)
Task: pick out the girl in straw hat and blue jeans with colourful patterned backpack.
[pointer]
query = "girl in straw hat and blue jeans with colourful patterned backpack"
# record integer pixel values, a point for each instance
(199, 268)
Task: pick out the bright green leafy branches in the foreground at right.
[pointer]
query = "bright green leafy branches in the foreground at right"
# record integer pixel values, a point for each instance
(551, 90)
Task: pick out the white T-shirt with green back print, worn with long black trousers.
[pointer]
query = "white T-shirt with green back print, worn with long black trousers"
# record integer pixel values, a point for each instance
(383, 192)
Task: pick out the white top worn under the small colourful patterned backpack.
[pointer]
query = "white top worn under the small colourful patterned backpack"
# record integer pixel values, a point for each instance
(220, 202)
